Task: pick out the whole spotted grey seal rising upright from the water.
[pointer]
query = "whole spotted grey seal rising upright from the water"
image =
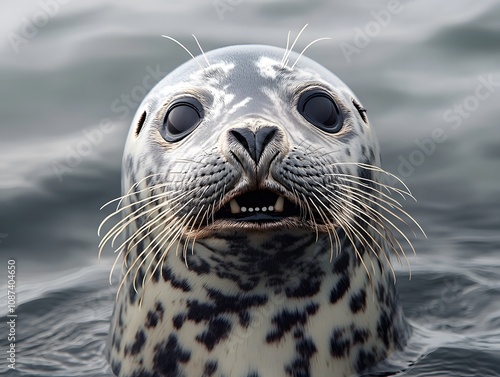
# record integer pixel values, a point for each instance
(257, 234)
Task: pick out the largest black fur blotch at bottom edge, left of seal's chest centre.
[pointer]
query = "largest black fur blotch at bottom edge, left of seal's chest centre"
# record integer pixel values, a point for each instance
(168, 356)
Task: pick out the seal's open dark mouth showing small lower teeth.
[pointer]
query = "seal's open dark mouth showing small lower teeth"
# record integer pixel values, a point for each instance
(258, 206)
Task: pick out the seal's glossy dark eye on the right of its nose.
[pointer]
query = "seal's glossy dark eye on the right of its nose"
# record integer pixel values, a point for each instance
(319, 108)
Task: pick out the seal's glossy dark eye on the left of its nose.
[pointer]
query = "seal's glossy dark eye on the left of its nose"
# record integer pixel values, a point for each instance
(183, 116)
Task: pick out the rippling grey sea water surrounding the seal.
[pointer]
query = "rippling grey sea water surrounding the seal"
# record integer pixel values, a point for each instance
(69, 81)
